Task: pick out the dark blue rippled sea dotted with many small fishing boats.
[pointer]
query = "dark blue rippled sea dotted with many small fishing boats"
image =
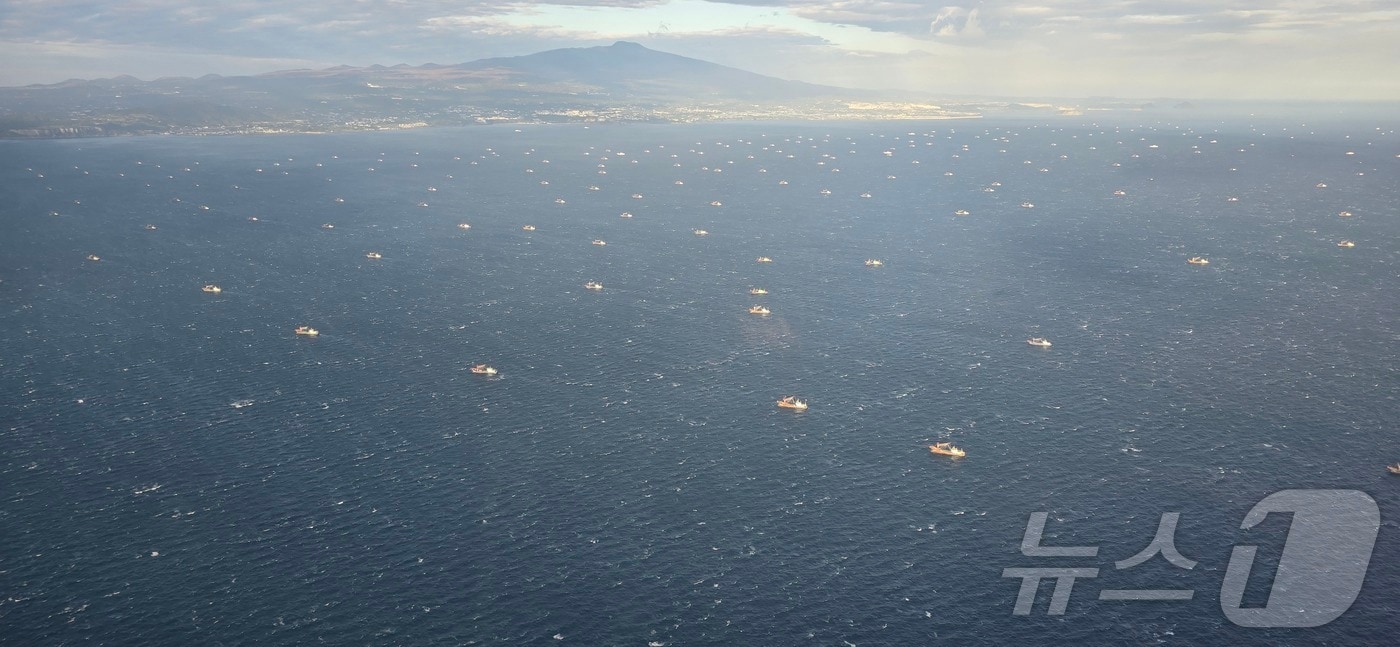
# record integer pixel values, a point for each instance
(180, 468)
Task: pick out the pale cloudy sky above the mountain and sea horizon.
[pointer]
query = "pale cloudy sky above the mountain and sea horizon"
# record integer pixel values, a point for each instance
(1210, 50)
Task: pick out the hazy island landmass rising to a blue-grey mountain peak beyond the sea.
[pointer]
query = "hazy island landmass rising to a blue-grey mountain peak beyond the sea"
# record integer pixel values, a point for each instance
(618, 83)
